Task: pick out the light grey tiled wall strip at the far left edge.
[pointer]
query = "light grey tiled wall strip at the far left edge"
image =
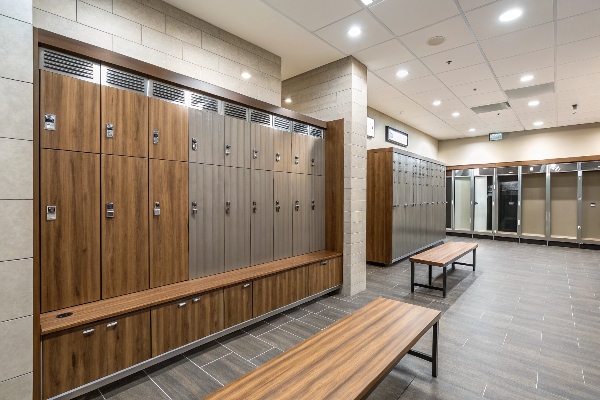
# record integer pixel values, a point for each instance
(16, 204)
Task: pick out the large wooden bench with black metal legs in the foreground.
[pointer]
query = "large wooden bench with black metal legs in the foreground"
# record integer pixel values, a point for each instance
(344, 361)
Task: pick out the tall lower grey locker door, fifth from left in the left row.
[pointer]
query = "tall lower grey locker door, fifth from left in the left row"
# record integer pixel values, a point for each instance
(237, 218)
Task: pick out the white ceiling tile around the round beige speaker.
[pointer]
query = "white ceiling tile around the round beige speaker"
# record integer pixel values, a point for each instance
(454, 30)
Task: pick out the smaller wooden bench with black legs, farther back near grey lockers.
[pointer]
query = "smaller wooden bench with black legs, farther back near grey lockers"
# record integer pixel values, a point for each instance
(441, 256)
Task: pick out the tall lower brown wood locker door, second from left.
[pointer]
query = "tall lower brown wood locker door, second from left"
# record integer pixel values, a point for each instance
(125, 262)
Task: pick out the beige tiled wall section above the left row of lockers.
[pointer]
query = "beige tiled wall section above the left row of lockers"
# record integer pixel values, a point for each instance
(158, 33)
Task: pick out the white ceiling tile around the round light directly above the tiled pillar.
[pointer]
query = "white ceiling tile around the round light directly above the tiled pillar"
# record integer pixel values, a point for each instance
(337, 33)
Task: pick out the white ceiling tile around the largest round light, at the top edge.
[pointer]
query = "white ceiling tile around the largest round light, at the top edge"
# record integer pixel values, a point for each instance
(486, 24)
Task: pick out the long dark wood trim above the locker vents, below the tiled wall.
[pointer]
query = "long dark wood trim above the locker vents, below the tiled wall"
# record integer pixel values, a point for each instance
(76, 47)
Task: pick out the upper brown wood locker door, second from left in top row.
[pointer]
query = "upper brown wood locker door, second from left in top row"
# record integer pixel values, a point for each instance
(124, 124)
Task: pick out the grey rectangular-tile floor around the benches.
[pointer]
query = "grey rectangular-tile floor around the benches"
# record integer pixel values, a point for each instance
(525, 325)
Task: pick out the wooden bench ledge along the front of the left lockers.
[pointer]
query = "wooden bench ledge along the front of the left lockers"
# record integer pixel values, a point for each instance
(112, 307)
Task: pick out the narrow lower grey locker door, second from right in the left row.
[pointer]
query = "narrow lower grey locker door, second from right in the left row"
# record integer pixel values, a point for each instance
(301, 197)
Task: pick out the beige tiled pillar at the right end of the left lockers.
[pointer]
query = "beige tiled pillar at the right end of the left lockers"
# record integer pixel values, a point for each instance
(334, 91)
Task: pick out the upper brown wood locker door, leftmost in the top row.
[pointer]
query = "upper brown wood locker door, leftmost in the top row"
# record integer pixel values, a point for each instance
(74, 104)
